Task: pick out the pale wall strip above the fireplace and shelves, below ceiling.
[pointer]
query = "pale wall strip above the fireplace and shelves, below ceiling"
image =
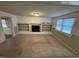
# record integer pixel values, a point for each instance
(24, 19)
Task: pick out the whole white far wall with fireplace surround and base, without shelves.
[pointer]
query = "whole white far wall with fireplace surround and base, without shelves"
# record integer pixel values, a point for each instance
(33, 20)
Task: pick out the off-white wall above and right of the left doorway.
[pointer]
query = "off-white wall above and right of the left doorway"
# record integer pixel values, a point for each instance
(13, 19)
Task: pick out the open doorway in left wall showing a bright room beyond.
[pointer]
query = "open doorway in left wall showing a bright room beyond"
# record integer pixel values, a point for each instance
(7, 28)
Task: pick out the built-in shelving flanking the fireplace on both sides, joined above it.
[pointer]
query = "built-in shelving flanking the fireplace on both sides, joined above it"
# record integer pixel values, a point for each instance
(25, 27)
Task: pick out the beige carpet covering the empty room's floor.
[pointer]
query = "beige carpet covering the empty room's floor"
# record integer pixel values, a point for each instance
(34, 46)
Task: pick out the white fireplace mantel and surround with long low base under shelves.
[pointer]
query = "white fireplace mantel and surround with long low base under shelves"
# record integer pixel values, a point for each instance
(30, 29)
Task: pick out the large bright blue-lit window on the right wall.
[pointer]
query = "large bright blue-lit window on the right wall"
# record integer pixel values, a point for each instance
(66, 25)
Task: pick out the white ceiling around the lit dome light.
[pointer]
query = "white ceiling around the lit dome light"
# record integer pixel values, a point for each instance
(45, 8)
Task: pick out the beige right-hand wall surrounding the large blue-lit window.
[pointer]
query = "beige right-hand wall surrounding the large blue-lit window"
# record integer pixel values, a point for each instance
(72, 41)
